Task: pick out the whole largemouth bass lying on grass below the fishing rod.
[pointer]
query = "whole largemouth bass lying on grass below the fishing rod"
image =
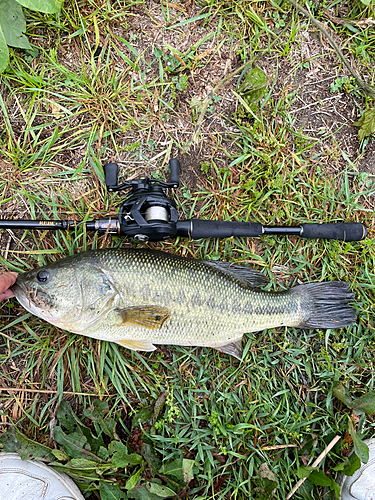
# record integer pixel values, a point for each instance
(139, 298)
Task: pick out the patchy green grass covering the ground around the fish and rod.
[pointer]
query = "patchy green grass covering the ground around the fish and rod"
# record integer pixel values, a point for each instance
(64, 114)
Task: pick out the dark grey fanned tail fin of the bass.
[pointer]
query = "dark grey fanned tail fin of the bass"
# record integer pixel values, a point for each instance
(327, 304)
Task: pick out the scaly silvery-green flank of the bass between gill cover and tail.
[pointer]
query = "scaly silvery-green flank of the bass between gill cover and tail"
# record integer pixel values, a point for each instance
(207, 306)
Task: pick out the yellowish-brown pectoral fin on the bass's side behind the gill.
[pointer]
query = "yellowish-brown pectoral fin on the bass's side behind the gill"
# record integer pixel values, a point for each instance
(152, 317)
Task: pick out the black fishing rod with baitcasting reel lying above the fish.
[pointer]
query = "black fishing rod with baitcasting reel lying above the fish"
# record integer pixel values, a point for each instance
(147, 214)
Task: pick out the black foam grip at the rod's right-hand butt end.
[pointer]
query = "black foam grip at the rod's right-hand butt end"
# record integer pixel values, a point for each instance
(346, 231)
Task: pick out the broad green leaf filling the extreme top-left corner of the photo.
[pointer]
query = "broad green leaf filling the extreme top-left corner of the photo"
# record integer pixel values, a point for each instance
(13, 24)
